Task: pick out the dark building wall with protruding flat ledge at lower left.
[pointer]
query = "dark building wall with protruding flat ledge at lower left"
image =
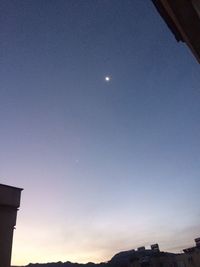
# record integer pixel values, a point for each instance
(9, 204)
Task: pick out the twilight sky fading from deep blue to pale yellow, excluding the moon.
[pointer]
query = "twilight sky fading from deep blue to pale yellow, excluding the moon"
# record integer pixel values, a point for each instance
(106, 166)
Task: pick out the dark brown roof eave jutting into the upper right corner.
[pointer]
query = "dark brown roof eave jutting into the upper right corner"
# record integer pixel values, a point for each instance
(183, 19)
